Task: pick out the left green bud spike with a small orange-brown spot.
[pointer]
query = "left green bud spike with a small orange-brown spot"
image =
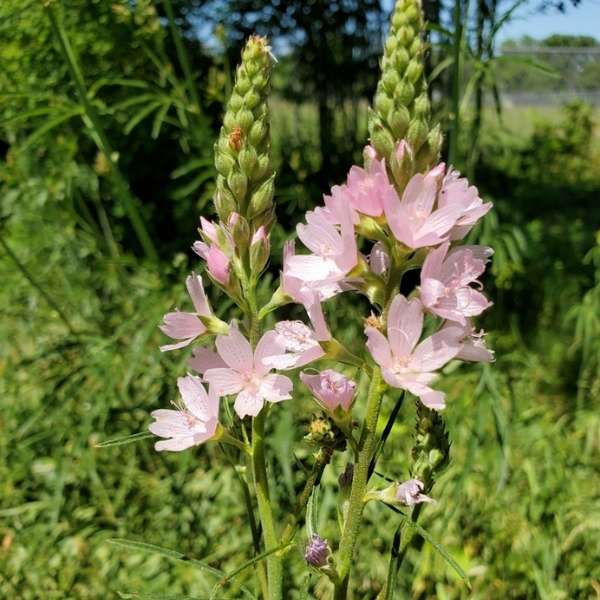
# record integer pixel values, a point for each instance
(242, 152)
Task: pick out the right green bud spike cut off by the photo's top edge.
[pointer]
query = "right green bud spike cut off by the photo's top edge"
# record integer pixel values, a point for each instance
(401, 105)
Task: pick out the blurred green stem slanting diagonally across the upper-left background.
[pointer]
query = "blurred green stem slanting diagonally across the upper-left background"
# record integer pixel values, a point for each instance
(92, 122)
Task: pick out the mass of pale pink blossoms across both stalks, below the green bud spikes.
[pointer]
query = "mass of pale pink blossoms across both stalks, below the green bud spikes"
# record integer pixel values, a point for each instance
(434, 210)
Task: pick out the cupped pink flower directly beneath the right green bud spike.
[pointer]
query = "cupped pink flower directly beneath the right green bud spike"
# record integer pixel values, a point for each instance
(414, 219)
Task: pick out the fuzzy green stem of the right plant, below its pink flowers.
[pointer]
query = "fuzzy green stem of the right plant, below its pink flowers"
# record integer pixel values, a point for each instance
(367, 445)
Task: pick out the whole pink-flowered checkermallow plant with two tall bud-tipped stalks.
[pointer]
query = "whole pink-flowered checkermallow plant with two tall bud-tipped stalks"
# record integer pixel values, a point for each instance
(399, 211)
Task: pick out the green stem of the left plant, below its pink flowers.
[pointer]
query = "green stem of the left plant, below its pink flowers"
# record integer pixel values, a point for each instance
(274, 564)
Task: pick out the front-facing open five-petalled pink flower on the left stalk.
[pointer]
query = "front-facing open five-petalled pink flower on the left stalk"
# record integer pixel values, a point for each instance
(246, 374)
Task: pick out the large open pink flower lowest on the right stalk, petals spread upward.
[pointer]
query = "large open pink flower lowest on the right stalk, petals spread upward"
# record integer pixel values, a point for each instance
(405, 364)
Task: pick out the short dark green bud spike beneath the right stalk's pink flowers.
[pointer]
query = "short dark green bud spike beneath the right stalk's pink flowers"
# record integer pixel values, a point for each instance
(431, 450)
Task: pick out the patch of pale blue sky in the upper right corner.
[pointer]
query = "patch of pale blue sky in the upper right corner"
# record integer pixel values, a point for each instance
(581, 20)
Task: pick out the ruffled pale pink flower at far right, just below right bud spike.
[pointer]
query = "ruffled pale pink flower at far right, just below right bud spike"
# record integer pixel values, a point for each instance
(457, 192)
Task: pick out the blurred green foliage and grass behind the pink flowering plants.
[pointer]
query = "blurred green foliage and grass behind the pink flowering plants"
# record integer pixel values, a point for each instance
(520, 504)
